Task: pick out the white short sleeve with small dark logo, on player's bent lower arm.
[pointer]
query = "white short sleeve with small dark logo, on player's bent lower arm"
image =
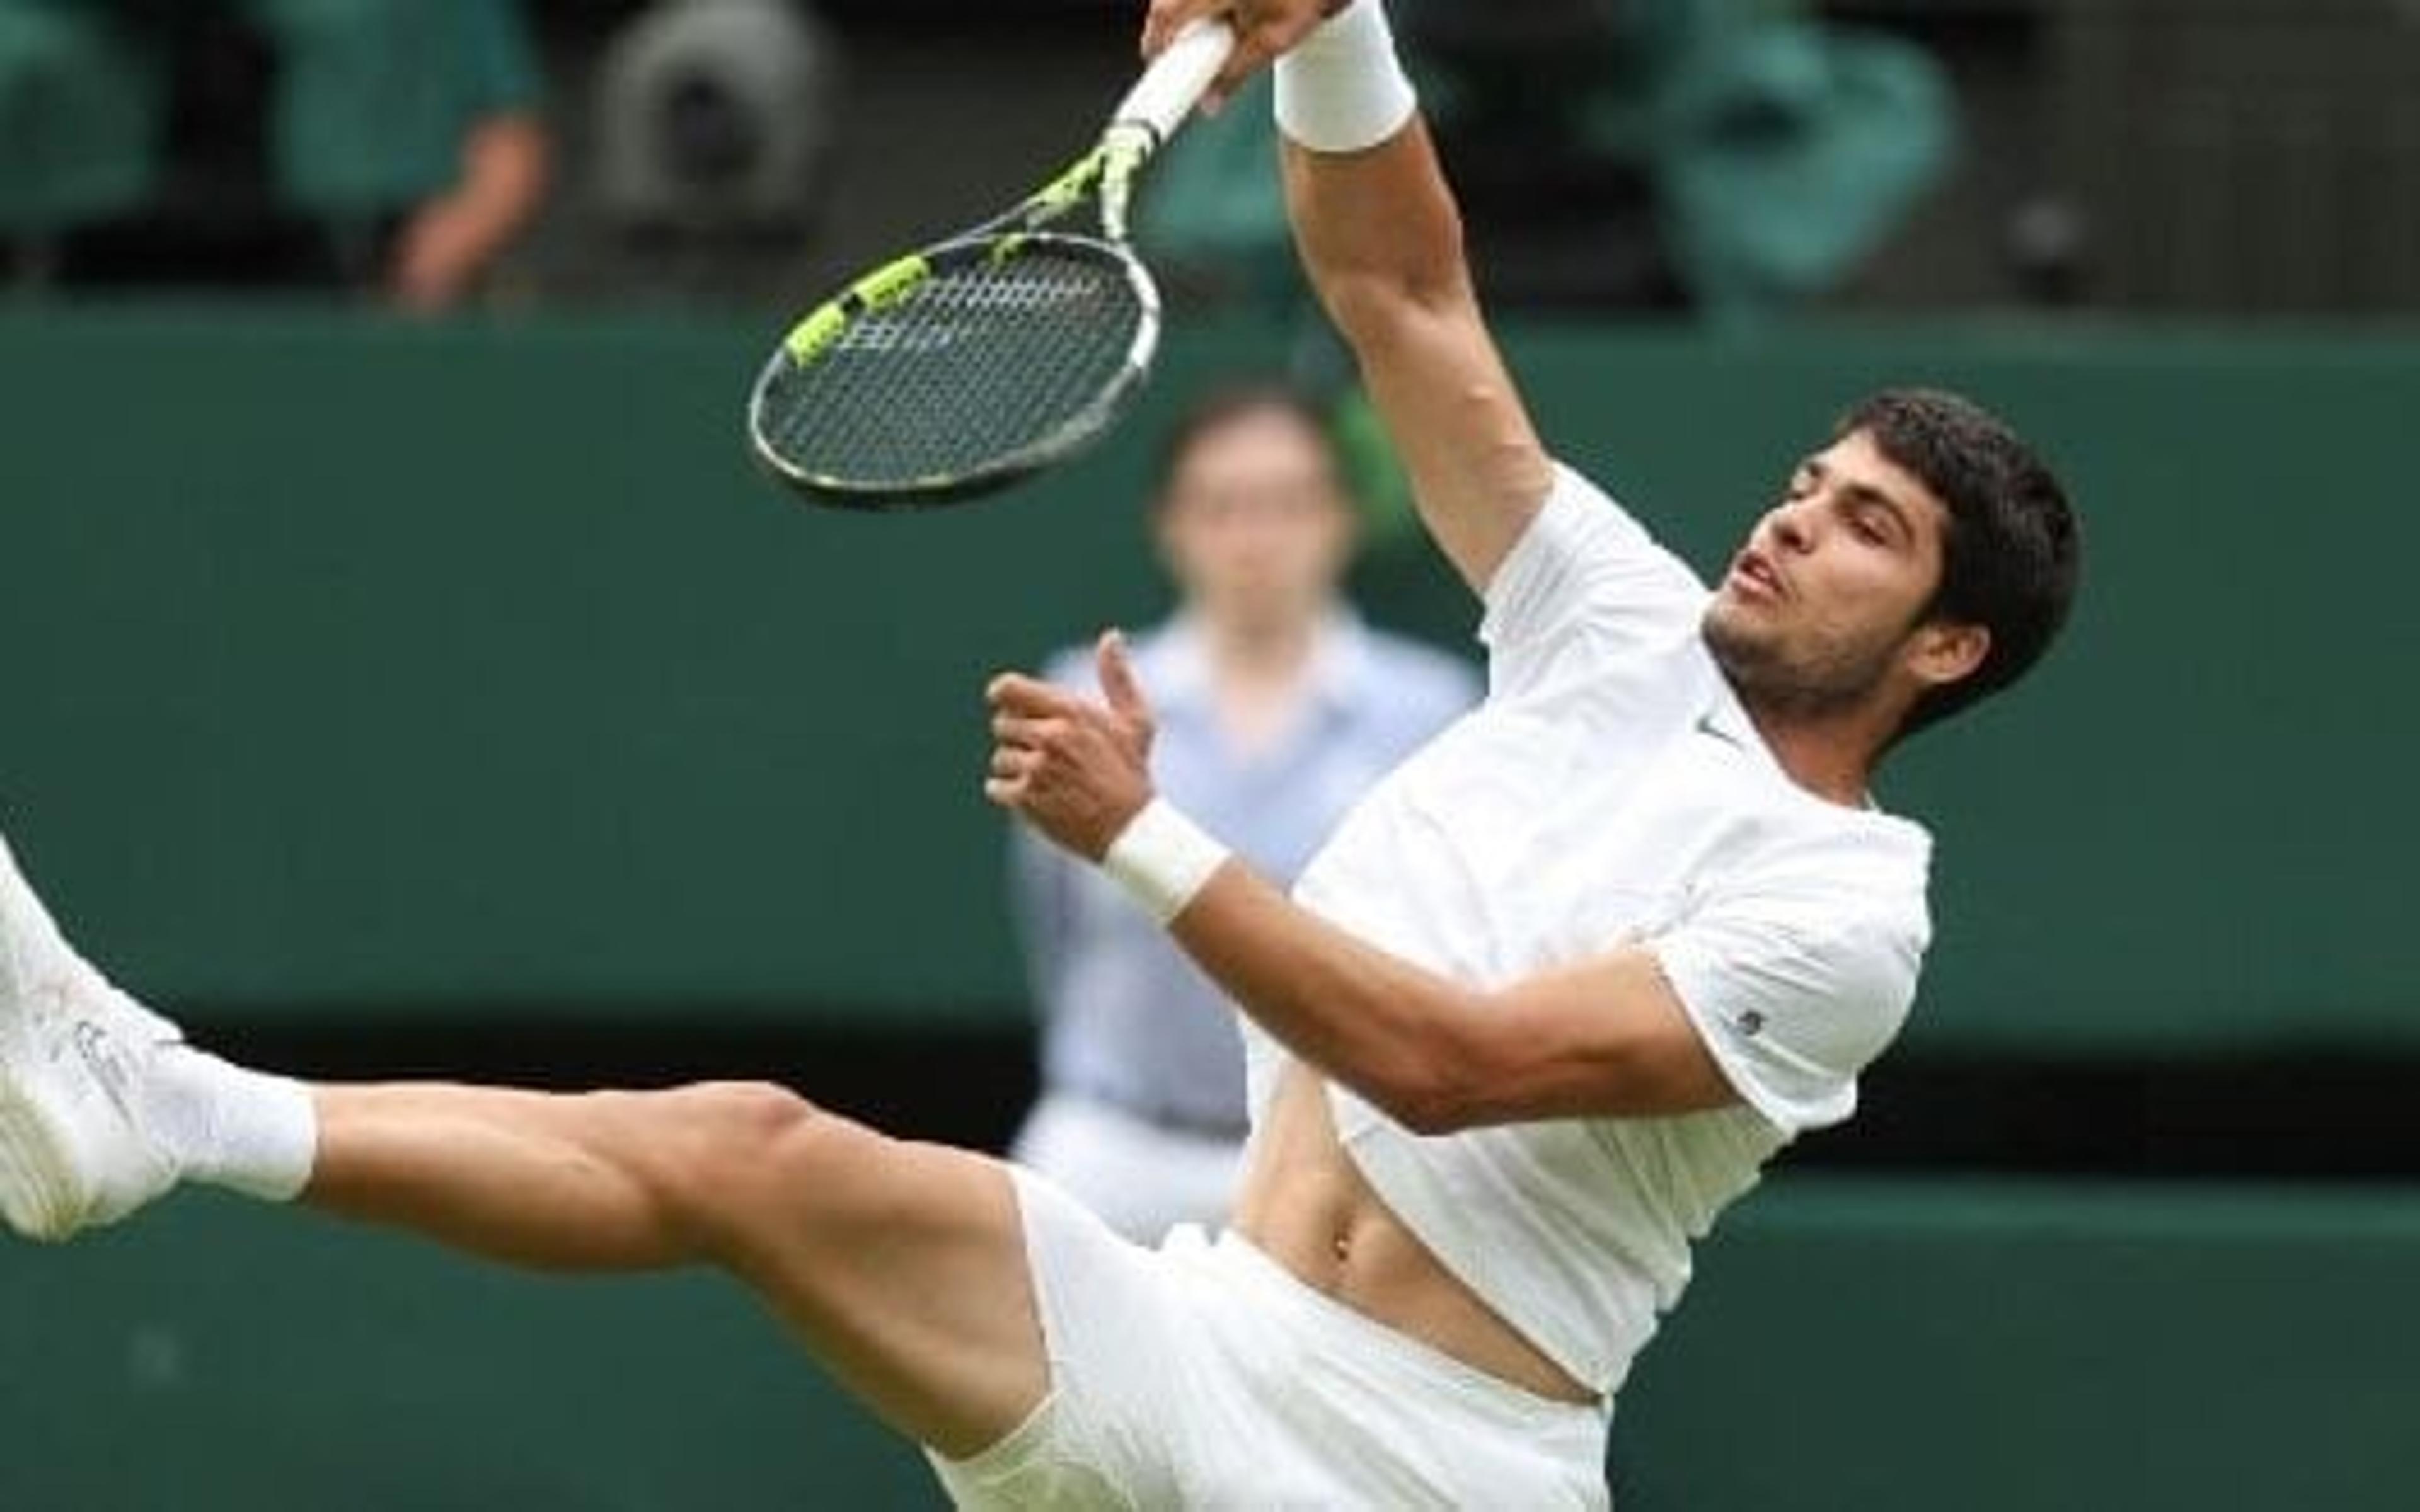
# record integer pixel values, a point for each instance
(1794, 996)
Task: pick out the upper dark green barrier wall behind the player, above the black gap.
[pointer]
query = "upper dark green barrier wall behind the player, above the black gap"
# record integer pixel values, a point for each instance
(449, 669)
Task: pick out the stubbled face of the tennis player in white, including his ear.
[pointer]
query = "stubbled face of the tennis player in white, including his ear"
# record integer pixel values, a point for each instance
(1819, 611)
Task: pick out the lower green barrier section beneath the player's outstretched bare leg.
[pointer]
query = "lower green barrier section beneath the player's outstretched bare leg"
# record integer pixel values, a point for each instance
(236, 1361)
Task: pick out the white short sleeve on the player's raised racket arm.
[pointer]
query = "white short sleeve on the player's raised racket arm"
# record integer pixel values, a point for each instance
(1584, 572)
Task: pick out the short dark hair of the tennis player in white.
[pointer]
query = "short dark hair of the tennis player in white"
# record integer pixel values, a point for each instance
(2012, 548)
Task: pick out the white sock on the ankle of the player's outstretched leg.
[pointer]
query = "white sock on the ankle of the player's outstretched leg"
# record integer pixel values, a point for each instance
(234, 1129)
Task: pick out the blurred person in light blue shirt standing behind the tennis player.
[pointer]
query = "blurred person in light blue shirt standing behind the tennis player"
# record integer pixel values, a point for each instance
(1277, 708)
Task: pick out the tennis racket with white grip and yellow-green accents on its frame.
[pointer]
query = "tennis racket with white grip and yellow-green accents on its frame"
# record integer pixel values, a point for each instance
(991, 354)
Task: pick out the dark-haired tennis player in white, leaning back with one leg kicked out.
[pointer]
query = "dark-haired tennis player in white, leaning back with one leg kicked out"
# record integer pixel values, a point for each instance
(1538, 1012)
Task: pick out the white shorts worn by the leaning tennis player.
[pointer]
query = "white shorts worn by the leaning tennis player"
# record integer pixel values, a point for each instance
(1204, 1375)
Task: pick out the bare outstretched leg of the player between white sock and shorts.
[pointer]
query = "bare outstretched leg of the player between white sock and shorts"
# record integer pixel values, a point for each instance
(899, 1264)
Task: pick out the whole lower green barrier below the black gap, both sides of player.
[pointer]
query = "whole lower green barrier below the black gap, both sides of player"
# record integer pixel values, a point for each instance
(1848, 1349)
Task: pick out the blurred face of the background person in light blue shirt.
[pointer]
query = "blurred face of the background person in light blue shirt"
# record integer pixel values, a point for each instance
(1255, 526)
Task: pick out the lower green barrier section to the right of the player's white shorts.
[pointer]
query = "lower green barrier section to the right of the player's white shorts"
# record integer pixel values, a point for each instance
(2036, 1346)
